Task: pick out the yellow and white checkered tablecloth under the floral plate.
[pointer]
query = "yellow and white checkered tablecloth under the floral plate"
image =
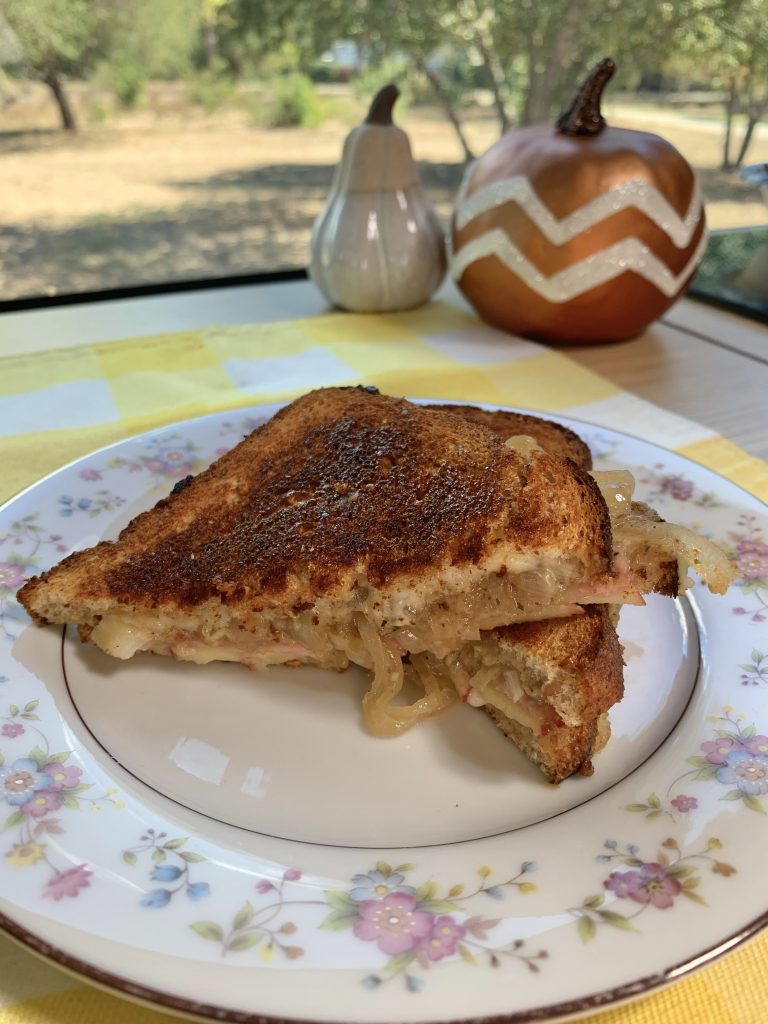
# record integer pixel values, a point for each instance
(58, 405)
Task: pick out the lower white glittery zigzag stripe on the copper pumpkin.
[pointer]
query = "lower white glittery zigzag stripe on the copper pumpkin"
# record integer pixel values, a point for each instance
(629, 254)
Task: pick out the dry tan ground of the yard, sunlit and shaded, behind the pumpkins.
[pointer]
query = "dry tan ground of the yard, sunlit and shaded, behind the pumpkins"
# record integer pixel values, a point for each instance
(176, 194)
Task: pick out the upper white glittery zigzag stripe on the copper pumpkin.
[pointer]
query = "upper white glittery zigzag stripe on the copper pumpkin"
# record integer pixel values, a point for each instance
(641, 195)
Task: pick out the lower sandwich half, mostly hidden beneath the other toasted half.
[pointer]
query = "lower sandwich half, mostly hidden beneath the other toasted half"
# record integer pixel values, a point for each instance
(549, 685)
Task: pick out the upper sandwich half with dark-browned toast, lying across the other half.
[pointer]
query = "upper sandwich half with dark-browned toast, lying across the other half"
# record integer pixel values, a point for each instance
(346, 503)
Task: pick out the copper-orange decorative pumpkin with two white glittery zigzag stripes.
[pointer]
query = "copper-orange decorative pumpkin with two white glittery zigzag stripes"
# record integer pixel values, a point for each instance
(578, 232)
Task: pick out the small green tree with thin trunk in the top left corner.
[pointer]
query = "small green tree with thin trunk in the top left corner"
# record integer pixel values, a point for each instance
(58, 40)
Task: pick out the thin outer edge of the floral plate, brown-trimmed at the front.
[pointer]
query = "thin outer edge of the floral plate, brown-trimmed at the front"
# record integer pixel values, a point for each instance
(117, 985)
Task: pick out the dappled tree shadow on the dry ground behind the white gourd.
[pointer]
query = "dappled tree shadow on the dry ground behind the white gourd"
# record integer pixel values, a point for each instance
(232, 224)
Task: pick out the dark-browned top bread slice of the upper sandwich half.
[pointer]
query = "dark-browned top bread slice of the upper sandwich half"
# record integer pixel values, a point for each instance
(342, 488)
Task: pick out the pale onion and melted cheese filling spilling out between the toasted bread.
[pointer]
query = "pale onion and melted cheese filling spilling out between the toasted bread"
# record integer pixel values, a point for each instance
(377, 633)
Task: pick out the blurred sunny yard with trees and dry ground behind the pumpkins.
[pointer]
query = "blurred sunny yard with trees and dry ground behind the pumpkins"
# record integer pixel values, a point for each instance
(210, 152)
